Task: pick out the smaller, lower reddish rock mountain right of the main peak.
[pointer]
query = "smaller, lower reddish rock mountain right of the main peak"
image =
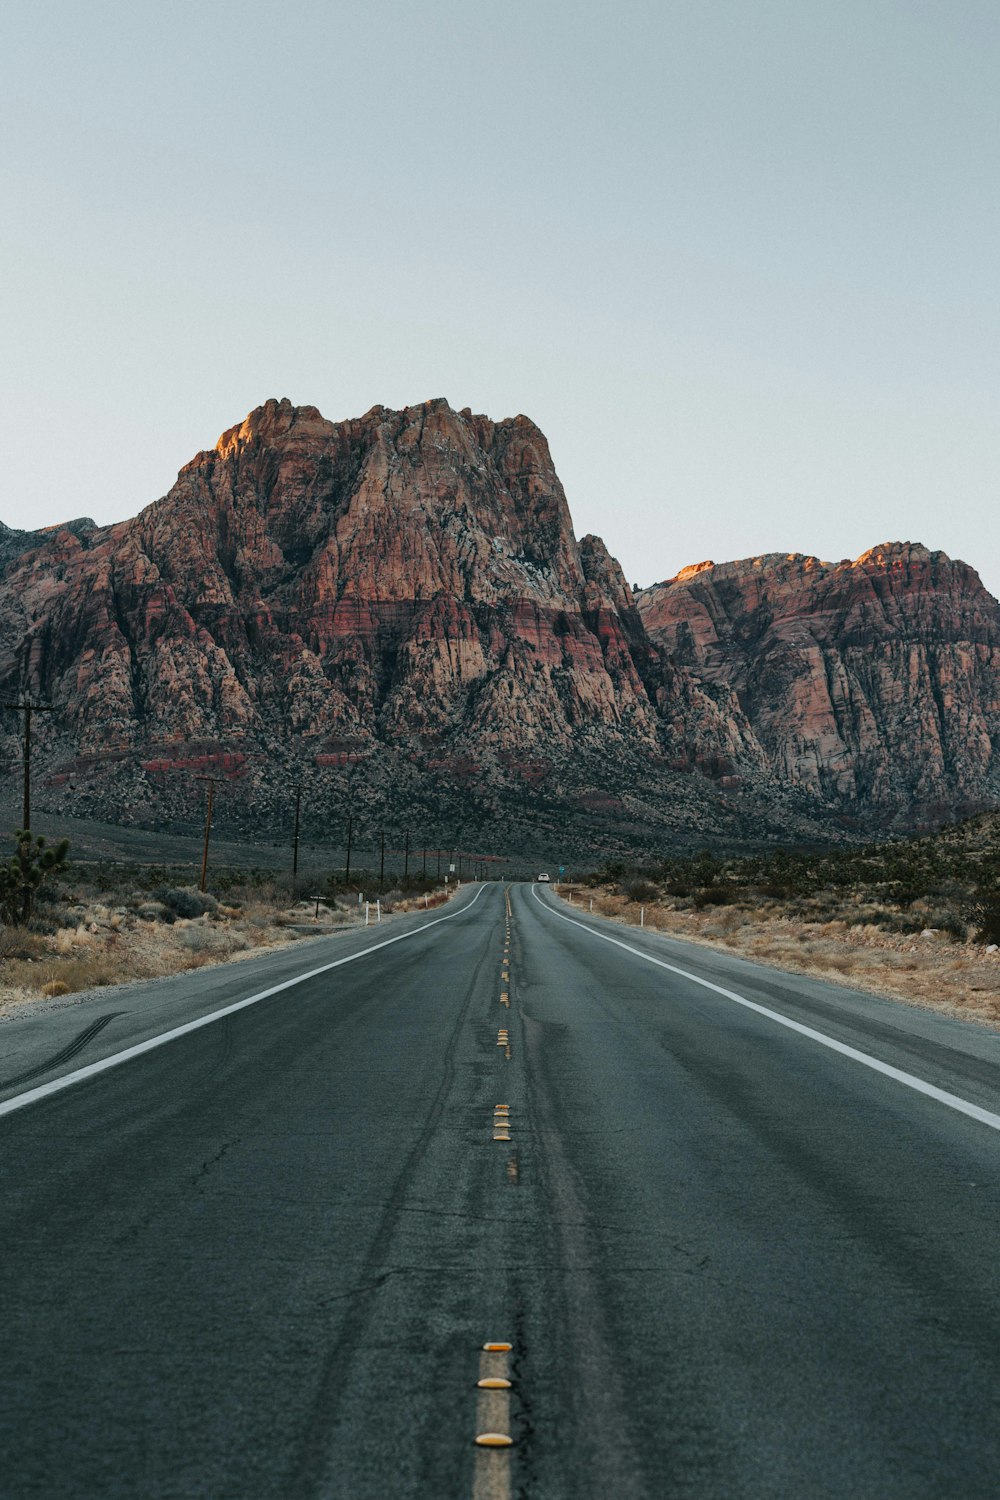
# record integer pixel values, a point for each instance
(872, 683)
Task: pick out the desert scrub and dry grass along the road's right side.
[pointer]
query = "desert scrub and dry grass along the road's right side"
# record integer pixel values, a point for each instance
(917, 920)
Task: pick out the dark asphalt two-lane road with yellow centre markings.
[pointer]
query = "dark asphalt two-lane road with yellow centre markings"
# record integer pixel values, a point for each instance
(734, 1258)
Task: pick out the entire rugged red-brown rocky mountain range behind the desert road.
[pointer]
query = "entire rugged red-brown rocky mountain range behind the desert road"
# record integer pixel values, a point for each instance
(395, 613)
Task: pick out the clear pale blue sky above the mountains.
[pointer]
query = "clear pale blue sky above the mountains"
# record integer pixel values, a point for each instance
(738, 259)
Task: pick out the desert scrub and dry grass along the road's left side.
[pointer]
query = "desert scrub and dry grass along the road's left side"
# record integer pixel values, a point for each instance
(97, 925)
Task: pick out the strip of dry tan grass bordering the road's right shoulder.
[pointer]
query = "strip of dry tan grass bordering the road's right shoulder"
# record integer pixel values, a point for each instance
(936, 973)
